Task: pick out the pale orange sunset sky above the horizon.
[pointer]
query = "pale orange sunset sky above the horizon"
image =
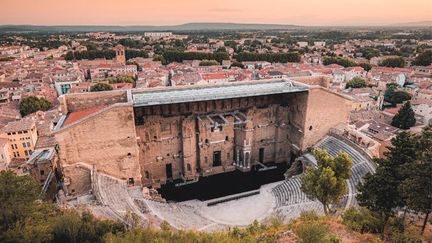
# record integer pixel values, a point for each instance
(166, 12)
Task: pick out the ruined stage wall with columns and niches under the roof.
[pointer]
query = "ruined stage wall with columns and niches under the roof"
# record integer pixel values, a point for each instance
(188, 138)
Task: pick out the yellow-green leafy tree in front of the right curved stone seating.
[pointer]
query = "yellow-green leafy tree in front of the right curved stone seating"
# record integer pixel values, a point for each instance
(327, 183)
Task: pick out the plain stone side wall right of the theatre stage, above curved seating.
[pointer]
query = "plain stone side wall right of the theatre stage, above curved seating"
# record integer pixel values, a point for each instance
(325, 109)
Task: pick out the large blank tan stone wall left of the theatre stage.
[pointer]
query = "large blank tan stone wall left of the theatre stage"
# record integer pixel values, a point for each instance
(106, 140)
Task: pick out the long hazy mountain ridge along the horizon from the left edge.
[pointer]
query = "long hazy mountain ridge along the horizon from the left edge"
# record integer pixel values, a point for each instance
(131, 28)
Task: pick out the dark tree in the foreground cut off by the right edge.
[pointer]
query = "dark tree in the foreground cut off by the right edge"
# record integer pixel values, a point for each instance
(416, 188)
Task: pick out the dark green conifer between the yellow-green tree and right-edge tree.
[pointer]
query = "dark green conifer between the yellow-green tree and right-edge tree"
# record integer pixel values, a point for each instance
(380, 192)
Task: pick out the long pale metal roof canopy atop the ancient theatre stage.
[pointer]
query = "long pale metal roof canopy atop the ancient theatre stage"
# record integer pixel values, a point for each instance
(205, 93)
